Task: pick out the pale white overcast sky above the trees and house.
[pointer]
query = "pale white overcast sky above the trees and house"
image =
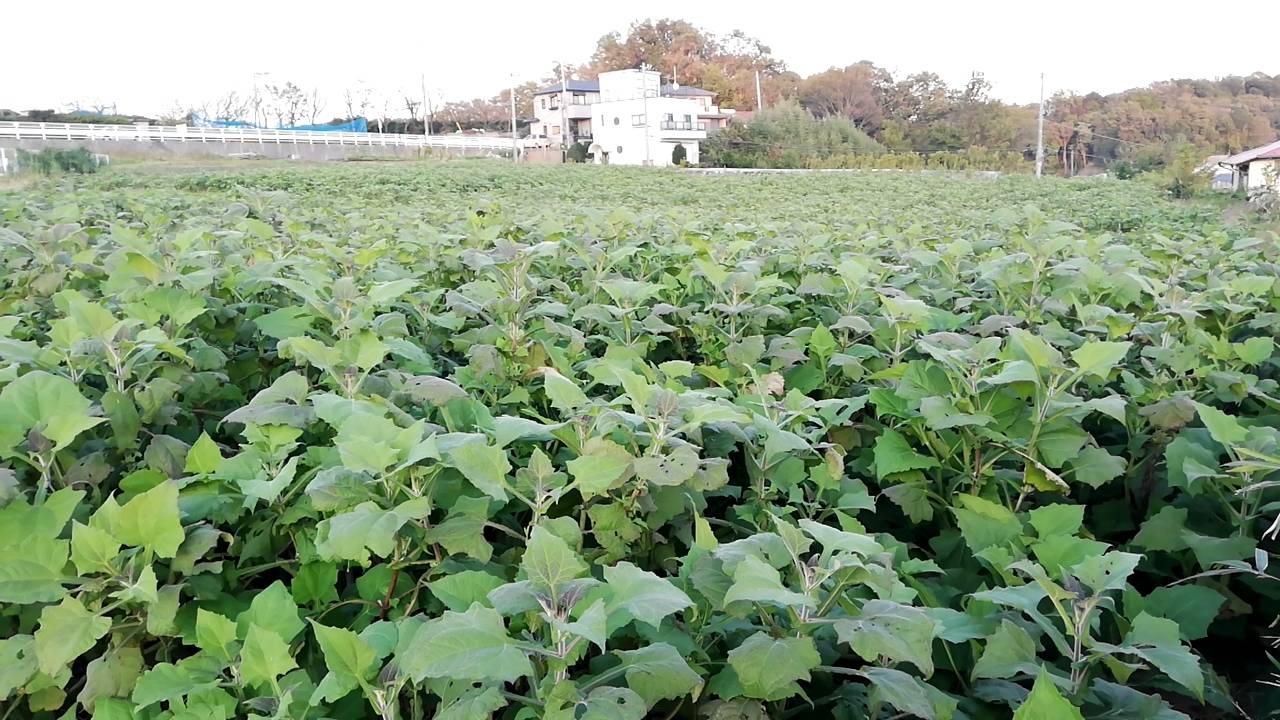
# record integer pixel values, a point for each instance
(147, 56)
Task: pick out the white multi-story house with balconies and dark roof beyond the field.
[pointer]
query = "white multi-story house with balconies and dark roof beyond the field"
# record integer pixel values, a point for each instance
(627, 119)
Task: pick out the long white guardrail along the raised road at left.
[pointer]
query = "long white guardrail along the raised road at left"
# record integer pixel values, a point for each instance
(143, 133)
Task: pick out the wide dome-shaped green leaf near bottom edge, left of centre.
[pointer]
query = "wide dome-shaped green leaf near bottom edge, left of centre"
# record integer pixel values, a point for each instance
(465, 646)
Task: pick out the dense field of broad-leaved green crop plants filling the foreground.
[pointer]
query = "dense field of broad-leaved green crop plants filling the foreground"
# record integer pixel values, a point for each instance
(469, 441)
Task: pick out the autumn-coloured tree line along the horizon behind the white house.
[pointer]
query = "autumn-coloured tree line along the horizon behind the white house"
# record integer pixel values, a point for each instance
(833, 119)
